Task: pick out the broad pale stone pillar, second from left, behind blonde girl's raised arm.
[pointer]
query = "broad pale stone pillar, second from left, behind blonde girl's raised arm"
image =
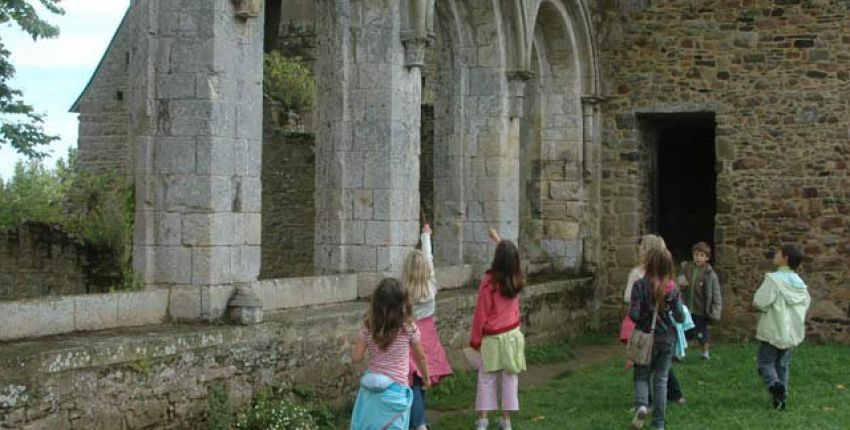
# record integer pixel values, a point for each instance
(367, 141)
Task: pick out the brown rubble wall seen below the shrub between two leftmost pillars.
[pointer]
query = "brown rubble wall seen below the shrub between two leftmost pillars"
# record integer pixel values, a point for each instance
(289, 210)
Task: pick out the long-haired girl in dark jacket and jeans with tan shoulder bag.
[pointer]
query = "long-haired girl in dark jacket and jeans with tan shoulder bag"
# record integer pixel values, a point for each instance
(654, 301)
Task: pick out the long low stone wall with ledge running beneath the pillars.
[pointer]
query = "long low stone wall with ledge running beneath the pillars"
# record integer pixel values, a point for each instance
(160, 376)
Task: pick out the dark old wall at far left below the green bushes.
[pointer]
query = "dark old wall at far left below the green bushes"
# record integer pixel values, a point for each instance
(37, 260)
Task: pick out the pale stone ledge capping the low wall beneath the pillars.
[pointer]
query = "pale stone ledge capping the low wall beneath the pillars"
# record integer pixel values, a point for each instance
(20, 359)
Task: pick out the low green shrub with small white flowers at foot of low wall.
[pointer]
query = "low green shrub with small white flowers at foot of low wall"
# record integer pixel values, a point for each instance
(267, 413)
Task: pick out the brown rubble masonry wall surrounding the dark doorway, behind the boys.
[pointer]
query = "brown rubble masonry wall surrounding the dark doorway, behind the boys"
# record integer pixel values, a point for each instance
(775, 74)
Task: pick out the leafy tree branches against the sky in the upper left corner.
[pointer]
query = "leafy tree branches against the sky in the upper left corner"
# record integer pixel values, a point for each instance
(22, 127)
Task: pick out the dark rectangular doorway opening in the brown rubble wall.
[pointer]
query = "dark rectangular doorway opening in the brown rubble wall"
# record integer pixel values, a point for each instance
(684, 178)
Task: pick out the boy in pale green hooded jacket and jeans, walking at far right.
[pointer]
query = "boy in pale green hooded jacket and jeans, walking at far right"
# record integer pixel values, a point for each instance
(783, 300)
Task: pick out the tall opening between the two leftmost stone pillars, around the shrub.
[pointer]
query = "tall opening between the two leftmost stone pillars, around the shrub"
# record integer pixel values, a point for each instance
(288, 155)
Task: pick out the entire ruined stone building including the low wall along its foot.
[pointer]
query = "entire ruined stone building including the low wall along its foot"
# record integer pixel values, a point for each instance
(572, 126)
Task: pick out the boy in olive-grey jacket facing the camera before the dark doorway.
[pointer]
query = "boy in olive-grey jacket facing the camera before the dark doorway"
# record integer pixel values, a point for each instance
(702, 294)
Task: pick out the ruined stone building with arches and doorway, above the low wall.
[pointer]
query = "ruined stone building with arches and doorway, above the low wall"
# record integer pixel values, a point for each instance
(571, 126)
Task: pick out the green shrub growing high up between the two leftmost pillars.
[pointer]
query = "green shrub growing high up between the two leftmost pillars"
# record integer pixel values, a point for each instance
(289, 82)
